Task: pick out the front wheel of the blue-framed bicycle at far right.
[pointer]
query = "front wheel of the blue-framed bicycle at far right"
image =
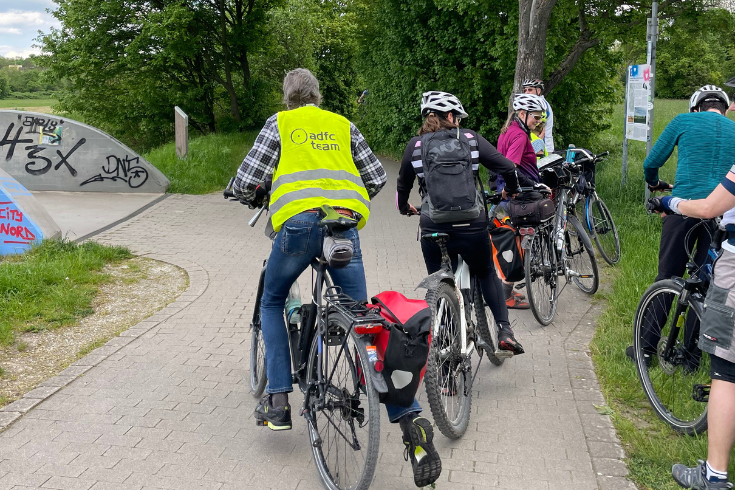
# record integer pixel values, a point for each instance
(665, 384)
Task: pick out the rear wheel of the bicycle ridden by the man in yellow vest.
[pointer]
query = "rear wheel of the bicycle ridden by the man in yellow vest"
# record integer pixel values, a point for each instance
(357, 388)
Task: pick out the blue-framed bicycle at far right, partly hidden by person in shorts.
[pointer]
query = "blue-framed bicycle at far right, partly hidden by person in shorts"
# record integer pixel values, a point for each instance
(674, 372)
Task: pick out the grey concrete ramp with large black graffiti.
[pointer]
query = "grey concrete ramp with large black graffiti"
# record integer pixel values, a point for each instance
(48, 153)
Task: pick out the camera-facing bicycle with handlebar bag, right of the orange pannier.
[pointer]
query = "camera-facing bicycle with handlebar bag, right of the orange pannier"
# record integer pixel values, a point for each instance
(560, 247)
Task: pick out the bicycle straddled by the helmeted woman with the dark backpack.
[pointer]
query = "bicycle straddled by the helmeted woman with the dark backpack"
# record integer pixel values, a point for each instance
(459, 314)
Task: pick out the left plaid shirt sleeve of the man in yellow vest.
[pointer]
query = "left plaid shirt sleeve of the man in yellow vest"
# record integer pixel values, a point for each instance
(260, 160)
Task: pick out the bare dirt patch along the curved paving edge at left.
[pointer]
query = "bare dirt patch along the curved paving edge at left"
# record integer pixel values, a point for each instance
(140, 287)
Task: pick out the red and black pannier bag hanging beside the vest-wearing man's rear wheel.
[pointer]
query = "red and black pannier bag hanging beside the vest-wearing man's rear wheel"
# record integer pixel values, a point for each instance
(403, 348)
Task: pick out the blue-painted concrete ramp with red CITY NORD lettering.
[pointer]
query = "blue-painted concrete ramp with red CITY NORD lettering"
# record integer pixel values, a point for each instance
(23, 220)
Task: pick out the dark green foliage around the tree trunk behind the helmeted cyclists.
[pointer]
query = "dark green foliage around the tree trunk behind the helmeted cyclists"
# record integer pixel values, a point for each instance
(409, 48)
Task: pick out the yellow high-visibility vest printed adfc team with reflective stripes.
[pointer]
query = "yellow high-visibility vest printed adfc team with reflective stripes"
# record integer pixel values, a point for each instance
(316, 166)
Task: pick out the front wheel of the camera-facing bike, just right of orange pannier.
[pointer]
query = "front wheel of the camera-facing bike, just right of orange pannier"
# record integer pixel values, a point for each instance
(539, 263)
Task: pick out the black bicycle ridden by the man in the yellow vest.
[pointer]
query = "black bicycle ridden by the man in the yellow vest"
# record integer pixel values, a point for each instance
(333, 363)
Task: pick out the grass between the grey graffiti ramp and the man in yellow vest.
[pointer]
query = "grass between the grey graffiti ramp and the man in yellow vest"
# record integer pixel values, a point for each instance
(211, 161)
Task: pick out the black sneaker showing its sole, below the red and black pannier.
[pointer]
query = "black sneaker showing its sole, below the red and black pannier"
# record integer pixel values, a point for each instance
(418, 436)
